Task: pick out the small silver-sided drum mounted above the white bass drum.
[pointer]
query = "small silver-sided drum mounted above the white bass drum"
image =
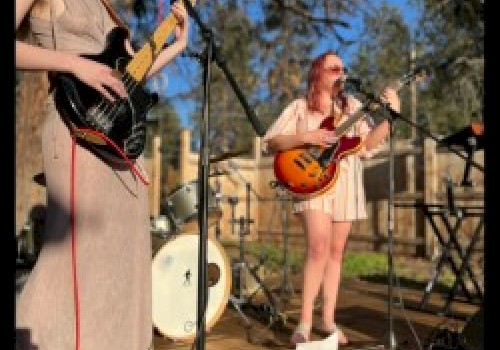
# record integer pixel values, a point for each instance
(182, 207)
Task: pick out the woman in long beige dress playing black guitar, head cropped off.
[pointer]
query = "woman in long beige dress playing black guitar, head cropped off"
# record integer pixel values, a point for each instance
(90, 288)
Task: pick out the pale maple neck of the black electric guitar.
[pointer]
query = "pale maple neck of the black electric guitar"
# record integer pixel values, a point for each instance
(140, 64)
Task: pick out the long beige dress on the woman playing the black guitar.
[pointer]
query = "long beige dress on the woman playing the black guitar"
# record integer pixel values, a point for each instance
(113, 242)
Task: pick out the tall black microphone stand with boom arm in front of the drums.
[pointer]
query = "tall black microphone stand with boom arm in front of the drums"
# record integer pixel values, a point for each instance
(211, 53)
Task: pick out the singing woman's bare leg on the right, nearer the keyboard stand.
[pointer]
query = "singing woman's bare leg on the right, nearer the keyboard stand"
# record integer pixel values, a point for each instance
(331, 281)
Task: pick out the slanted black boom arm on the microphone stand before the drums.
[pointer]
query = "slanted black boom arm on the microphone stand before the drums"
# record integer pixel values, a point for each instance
(252, 117)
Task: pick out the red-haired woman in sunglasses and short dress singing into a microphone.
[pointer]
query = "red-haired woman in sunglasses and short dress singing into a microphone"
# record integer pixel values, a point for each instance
(327, 218)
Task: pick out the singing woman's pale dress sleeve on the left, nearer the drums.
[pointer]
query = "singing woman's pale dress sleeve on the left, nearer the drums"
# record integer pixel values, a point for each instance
(286, 123)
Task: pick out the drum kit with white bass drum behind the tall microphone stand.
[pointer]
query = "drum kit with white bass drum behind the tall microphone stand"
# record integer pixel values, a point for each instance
(175, 244)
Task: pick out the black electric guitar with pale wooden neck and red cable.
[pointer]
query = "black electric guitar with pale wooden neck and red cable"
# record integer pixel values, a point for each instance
(97, 120)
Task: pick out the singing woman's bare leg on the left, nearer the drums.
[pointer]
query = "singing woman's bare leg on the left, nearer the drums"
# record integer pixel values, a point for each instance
(318, 228)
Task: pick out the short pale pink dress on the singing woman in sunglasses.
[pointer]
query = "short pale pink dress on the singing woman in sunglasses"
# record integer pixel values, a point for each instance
(345, 201)
